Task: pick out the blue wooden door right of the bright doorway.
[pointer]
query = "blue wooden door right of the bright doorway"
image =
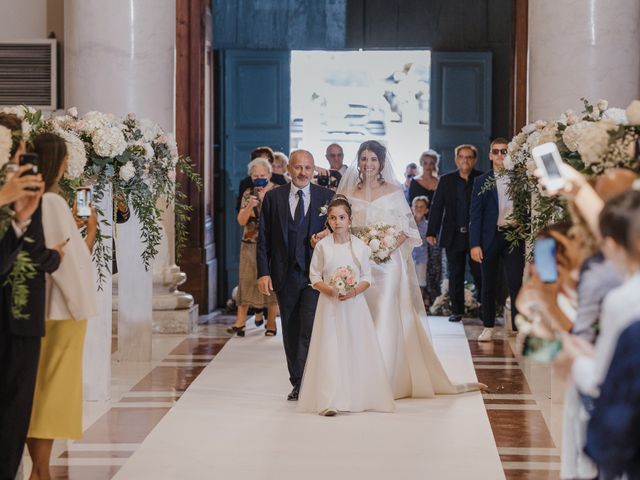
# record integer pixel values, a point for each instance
(460, 105)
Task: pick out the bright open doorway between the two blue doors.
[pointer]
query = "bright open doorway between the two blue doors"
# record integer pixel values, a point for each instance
(347, 97)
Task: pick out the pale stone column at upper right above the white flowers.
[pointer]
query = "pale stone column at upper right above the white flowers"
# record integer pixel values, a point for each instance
(580, 48)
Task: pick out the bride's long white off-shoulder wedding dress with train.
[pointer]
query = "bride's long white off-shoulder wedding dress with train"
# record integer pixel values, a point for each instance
(396, 305)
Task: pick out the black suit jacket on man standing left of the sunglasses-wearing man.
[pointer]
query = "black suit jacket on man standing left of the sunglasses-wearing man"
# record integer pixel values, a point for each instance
(442, 214)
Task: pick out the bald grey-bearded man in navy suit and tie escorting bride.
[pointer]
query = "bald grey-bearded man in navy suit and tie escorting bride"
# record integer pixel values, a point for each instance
(290, 226)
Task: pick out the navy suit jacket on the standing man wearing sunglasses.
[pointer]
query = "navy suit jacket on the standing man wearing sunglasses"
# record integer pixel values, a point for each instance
(484, 213)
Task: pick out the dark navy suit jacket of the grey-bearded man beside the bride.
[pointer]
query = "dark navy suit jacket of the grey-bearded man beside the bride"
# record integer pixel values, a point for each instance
(272, 249)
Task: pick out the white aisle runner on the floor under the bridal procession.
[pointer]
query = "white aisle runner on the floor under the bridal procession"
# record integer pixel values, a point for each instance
(234, 423)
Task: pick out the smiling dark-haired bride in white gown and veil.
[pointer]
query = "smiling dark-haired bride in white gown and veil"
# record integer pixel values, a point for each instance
(394, 297)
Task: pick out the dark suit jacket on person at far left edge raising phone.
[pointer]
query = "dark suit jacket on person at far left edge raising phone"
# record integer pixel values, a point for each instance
(45, 261)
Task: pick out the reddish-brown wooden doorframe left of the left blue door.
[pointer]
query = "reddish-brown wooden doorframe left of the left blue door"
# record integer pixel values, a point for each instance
(193, 103)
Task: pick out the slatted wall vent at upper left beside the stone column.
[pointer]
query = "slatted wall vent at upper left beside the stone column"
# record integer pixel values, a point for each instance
(28, 73)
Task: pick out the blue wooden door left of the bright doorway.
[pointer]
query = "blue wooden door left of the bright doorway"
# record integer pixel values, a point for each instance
(256, 96)
